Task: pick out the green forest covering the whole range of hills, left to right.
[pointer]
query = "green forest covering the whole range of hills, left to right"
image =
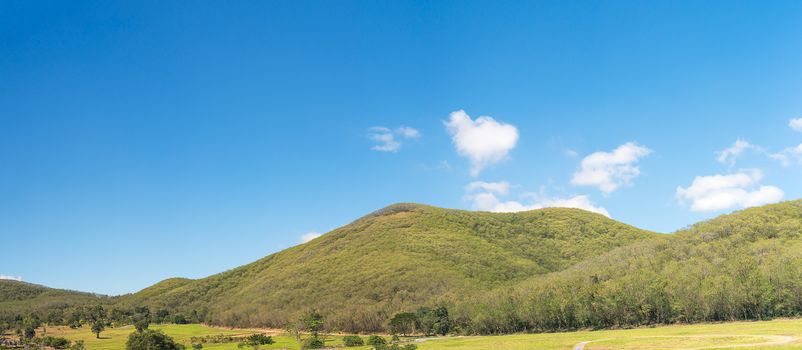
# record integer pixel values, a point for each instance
(418, 269)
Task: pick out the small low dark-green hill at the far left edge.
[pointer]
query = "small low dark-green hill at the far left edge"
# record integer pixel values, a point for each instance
(21, 298)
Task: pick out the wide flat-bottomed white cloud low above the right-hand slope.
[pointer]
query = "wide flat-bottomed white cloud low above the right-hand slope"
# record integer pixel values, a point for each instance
(718, 192)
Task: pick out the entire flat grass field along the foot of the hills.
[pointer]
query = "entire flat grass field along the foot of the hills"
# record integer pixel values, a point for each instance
(778, 334)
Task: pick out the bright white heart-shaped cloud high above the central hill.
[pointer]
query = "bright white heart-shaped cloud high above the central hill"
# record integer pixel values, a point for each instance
(484, 141)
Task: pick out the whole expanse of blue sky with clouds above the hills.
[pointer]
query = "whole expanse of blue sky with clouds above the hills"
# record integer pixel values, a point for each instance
(146, 140)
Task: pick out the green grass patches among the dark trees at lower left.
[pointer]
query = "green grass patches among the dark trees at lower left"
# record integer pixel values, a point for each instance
(115, 338)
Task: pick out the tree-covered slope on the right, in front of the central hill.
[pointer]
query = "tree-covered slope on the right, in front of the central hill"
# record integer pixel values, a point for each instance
(745, 265)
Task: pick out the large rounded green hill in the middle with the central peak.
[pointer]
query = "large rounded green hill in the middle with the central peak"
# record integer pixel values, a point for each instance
(398, 258)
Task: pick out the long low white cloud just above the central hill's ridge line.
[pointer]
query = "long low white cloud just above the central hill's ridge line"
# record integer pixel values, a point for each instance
(484, 196)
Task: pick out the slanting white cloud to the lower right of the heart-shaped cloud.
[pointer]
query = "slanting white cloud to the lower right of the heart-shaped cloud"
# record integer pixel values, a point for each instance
(610, 170)
